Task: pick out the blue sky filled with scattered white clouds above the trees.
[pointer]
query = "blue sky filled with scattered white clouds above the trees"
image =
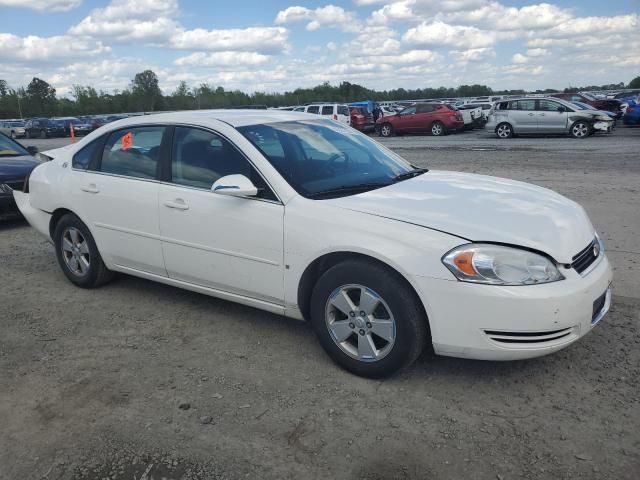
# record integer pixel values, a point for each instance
(277, 45)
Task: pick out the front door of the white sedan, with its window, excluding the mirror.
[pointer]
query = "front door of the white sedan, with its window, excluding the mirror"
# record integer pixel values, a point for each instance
(234, 244)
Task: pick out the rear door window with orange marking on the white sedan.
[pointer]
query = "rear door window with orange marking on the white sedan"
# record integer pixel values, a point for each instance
(133, 152)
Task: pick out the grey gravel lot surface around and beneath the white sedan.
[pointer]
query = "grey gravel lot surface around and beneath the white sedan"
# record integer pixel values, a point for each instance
(92, 381)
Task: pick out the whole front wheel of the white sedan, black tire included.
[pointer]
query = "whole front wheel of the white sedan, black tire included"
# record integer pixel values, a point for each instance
(401, 341)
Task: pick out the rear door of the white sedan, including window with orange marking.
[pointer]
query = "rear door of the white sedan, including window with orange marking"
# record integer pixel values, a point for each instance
(115, 192)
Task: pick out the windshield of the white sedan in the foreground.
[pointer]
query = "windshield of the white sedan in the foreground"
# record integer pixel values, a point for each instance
(323, 157)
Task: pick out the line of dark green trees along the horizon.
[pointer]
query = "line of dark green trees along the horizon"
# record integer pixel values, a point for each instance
(144, 95)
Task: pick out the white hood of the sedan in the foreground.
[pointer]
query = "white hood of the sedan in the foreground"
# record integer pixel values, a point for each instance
(481, 208)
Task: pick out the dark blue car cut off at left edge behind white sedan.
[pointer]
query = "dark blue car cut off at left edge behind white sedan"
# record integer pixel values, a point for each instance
(16, 163)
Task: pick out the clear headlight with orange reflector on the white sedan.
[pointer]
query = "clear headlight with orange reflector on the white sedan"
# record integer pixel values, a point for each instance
(498, 265)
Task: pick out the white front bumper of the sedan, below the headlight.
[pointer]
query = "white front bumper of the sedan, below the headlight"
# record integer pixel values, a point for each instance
(488, 322)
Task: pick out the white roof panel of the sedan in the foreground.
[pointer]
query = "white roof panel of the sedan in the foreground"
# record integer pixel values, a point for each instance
(236, 118)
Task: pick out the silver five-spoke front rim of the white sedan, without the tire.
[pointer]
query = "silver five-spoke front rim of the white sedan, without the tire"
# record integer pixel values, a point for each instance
(360, 323)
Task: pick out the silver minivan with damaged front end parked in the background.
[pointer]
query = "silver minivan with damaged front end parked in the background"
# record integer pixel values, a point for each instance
(544, 116)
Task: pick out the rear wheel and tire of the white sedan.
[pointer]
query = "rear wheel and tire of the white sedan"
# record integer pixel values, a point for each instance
(91, 271)
